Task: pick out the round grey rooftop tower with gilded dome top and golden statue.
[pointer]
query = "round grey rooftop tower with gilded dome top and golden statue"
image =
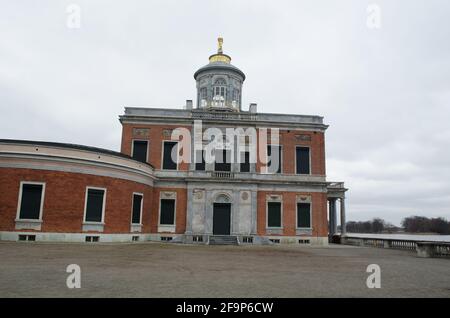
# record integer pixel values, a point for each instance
(219, 84)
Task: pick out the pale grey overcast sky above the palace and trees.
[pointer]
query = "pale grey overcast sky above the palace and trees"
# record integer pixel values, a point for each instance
(385, 92)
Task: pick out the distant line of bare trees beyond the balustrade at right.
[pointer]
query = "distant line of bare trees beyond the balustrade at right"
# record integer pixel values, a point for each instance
(412, 224)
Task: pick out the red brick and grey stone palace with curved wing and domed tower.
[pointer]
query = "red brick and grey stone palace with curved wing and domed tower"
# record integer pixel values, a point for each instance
(180, 176)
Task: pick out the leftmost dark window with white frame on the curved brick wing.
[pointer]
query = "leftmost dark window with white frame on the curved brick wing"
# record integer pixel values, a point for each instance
(31, 201)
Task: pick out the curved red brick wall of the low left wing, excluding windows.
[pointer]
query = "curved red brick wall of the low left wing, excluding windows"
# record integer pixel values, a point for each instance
(64, 200)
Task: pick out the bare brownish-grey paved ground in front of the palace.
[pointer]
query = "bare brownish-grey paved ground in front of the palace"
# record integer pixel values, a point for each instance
(169, 270)
